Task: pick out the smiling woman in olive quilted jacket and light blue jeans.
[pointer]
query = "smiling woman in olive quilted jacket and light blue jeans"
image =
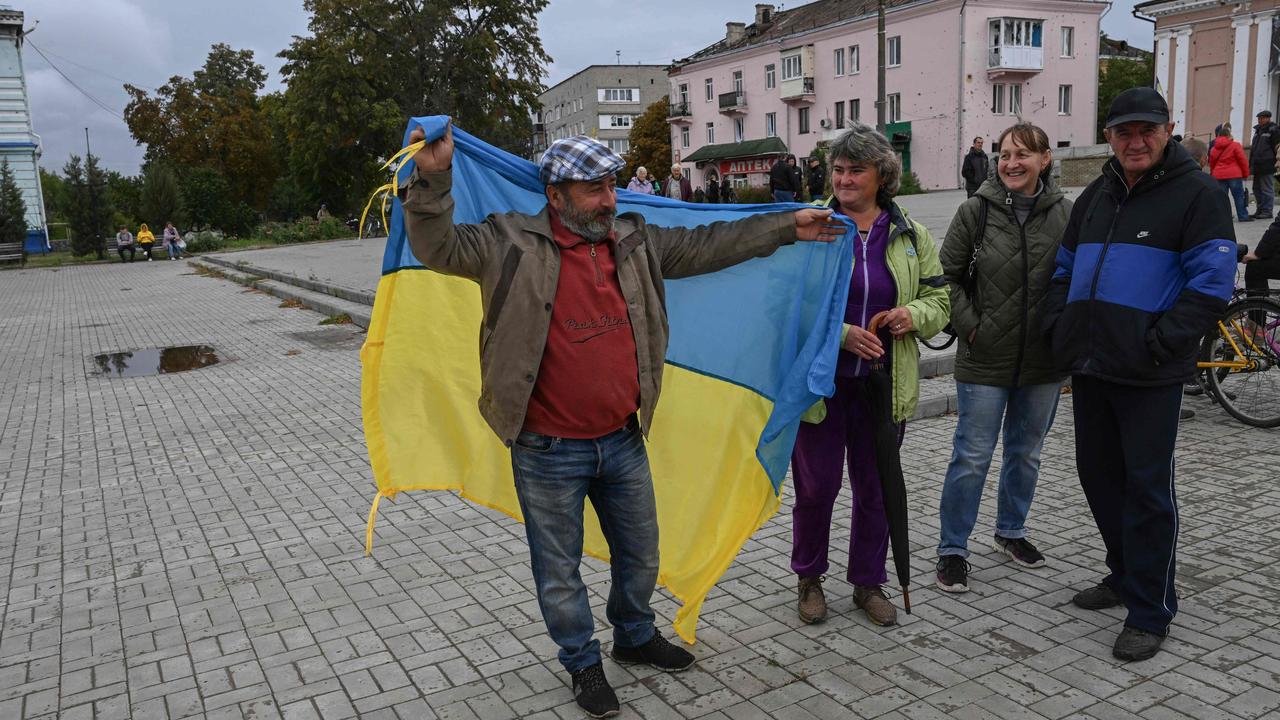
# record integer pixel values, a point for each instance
(999, 259)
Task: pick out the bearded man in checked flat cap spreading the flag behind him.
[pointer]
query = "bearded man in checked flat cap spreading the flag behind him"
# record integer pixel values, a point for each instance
(573, 344)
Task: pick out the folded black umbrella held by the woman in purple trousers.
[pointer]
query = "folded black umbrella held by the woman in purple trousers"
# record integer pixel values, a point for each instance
(889, 464)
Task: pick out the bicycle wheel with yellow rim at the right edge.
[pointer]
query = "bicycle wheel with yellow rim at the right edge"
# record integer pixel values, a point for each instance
(1249, 339)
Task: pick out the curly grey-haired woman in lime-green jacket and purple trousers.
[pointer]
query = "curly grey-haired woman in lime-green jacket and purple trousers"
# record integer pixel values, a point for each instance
(897, 271)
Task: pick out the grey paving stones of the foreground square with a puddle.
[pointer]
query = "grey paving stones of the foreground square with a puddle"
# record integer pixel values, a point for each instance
(191, 546)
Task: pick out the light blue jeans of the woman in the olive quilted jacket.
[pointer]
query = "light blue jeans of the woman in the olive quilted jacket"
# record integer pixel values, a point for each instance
(1026, 414)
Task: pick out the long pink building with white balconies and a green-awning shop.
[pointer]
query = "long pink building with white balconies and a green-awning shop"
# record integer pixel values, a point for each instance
(956, 70)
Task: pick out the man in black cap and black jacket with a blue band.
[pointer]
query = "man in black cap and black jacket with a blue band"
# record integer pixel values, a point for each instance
(1148, 266)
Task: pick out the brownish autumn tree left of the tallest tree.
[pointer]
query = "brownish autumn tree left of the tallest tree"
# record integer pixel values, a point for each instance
(213, 120)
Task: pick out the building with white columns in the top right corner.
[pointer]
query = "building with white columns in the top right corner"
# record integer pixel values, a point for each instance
(1217, 62)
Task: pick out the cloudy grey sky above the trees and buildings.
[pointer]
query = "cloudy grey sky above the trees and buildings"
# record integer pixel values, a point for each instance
(102, 44)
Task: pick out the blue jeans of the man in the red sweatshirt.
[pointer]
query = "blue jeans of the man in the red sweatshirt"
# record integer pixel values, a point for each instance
(554, 479)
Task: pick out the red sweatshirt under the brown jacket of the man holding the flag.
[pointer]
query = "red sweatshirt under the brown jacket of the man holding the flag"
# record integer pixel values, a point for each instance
(589, 380)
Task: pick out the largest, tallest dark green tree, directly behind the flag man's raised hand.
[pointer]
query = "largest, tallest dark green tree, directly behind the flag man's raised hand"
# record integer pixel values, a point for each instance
(369, 65)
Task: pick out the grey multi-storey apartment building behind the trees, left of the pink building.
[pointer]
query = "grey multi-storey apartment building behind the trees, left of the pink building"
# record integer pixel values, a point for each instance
(601, 102)
